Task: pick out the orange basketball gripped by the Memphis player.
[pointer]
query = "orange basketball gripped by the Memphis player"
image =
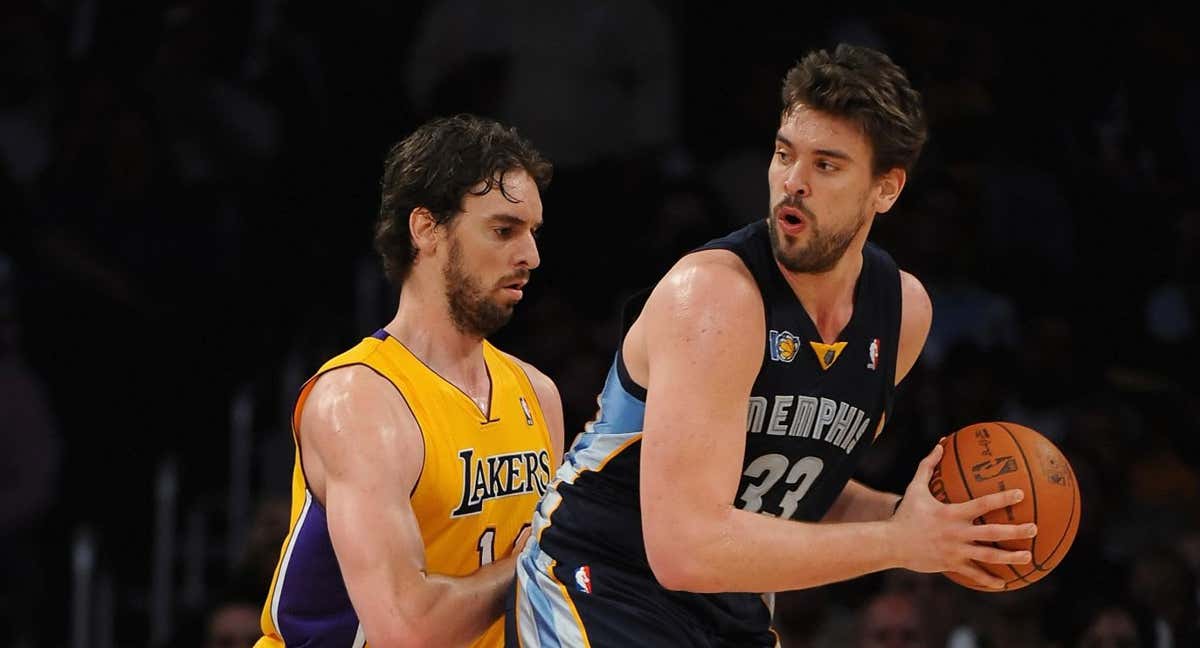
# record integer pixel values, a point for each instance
(989, 458)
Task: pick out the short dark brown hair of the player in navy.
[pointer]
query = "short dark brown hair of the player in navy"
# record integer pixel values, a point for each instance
(865, 87)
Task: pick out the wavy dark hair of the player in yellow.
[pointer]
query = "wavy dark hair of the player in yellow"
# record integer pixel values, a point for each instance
(436, 167)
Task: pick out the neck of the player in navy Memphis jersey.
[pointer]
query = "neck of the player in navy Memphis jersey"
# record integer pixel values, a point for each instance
(830, 297)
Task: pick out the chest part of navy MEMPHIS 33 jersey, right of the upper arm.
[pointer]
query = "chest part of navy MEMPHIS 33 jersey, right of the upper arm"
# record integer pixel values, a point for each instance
(815, 409)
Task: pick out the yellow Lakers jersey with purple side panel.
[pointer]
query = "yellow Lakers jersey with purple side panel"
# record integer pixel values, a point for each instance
(483, 476)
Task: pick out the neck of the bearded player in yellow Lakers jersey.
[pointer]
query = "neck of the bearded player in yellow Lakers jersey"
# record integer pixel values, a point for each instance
(423, 325)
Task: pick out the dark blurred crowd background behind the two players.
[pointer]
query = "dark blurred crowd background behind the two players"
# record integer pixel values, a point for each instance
(187, 199)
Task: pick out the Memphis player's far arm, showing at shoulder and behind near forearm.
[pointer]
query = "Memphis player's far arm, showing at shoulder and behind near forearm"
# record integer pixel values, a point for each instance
(857, 502)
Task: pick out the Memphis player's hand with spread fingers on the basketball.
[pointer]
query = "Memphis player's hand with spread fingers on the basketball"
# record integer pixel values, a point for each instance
(933, 537)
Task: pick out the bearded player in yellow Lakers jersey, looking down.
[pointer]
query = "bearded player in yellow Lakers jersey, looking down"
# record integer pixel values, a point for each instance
(423, 451)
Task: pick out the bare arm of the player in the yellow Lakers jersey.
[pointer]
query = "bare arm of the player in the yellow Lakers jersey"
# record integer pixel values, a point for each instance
(363, 453)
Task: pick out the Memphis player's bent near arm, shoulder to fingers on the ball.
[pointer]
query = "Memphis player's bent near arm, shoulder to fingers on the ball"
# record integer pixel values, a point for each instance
(703, 338)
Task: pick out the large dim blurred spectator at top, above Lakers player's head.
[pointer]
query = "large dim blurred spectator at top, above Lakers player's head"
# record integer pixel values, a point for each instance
(589, 81)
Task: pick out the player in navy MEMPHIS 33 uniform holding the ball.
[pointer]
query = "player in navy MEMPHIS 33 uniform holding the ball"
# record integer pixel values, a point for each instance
(749, 385)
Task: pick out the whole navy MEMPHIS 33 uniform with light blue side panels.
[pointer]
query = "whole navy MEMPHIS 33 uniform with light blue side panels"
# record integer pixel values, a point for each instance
(814, 413)
